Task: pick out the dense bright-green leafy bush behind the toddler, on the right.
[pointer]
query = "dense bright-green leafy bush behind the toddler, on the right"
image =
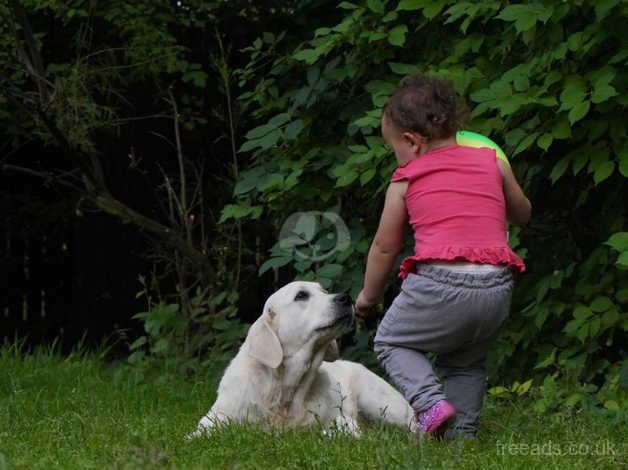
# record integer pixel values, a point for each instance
(545, 79)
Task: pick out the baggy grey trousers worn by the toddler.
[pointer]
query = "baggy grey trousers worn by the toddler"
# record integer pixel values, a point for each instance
(455, 315)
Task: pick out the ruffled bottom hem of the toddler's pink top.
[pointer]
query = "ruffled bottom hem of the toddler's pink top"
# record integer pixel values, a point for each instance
(495, 256)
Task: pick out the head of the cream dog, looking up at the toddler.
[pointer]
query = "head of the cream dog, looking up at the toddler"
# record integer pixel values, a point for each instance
(301, 317)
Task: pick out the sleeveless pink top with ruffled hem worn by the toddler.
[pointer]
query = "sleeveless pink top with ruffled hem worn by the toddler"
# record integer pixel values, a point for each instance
(456, 207)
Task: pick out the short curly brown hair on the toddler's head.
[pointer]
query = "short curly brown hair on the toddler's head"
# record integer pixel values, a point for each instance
(429, 106)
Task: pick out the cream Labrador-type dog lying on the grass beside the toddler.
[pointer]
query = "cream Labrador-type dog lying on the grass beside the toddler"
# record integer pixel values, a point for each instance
(280, 378)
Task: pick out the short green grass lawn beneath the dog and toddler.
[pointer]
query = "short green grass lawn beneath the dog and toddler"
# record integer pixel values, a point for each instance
(79, 412)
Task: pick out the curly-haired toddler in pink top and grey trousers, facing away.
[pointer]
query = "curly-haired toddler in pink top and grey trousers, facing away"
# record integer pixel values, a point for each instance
(457, 287)
